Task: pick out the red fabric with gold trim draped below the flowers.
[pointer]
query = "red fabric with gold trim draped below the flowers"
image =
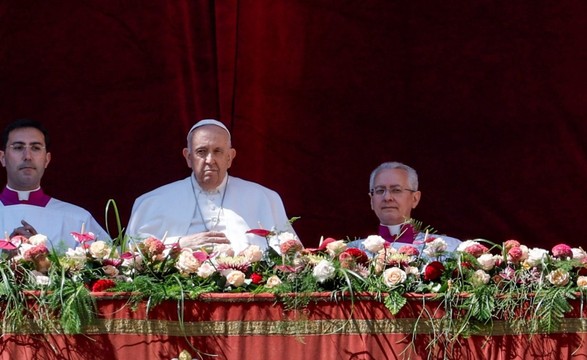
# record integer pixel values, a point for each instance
(245, 326)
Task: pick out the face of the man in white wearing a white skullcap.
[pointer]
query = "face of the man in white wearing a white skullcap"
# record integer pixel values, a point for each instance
(210, 155)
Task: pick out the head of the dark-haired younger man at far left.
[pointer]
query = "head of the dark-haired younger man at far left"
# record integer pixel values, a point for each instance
(25, 158)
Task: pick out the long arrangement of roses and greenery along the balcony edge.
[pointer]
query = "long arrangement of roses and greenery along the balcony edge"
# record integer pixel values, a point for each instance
(481, 281)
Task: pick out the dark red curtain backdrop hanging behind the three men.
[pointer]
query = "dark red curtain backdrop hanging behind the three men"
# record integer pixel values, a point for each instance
(486, 100)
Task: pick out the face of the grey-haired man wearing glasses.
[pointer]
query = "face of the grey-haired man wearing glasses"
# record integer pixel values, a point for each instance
(392, 199)
